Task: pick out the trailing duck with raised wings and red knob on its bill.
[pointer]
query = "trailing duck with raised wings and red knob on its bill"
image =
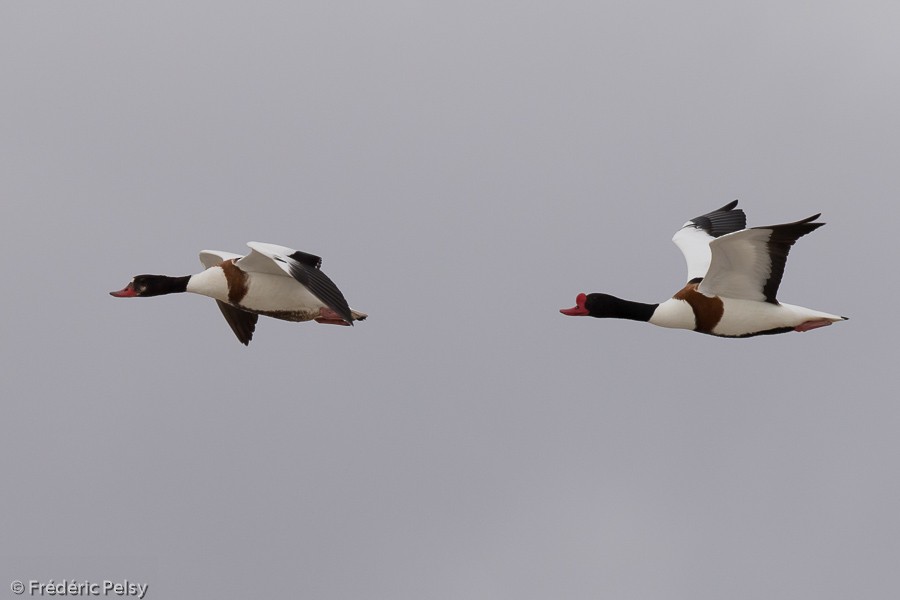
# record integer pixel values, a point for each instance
(733, 278)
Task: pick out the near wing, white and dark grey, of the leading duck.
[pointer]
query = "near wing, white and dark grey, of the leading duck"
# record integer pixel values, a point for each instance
(302, 266)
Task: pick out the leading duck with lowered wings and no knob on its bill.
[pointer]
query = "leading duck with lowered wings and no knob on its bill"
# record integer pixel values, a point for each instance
(272, 280)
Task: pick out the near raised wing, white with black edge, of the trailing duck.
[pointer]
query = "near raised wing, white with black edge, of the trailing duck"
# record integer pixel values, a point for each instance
(749, 264)
